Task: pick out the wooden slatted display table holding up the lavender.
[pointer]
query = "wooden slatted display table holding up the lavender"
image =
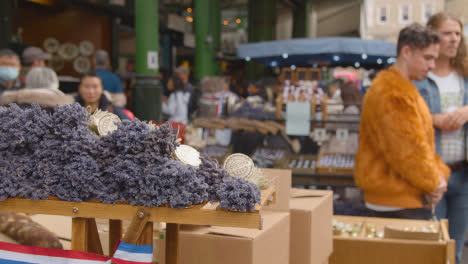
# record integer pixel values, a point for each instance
(84, 230)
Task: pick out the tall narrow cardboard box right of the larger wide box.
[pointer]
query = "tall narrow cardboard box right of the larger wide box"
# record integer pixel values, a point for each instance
(311, 226)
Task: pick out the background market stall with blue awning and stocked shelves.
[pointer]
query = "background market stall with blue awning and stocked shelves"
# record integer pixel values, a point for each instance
(330, 122)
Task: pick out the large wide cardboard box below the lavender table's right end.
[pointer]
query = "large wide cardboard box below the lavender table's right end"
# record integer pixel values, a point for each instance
(210, 245)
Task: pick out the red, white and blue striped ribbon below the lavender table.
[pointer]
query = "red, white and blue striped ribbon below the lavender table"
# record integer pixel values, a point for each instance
(124, 254)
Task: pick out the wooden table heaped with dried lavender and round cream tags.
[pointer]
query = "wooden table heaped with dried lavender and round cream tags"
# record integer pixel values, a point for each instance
(87, 166)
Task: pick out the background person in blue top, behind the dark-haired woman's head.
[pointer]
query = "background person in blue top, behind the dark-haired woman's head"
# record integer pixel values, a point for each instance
(110, 81)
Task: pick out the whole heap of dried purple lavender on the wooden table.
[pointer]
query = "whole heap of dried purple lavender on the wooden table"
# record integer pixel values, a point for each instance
(43, 155)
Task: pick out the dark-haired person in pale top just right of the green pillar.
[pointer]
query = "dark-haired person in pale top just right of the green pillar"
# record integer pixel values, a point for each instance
(176, 107)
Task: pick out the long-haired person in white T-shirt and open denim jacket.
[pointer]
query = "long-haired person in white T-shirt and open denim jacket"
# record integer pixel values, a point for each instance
(446, 93)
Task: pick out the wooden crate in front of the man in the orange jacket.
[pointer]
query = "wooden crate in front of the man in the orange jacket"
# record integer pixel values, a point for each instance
(362, 250)
